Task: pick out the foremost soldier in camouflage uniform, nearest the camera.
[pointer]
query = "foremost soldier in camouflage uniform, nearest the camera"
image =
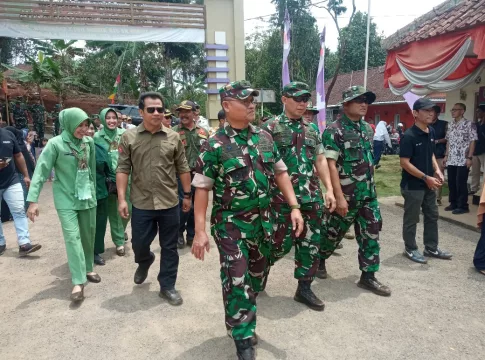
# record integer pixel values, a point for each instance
(241, 164)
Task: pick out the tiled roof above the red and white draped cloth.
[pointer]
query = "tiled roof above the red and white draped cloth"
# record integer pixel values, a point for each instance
(450, 16)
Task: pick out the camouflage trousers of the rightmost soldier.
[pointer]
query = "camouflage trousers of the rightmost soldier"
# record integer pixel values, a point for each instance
(367, 220)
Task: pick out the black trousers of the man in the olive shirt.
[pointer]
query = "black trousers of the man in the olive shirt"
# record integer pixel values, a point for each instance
(144, 225)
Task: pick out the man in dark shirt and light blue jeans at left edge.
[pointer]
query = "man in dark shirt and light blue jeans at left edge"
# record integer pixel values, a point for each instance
(11, 191)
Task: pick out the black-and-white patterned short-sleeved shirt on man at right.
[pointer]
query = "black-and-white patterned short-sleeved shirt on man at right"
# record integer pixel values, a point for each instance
(460, 135)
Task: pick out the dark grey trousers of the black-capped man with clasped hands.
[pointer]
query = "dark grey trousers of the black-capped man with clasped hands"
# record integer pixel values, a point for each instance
(414, 201)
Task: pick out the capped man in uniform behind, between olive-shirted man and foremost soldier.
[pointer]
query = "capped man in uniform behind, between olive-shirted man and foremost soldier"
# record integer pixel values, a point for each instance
(192, 137)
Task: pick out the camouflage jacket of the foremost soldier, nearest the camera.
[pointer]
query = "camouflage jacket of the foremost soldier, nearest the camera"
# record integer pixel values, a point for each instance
(242, 166)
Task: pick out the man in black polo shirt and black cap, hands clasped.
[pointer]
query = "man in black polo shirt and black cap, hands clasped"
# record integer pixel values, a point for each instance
(421, 176)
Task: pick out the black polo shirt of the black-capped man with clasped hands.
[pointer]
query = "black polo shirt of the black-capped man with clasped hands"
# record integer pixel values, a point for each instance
(418, 146)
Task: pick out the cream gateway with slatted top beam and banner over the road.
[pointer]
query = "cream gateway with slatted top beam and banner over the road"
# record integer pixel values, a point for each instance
(219, 24)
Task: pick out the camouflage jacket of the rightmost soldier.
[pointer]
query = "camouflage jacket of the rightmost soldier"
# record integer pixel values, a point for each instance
(349, 143)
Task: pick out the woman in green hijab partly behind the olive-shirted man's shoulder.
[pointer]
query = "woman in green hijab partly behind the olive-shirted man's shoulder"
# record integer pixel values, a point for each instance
(107, 144)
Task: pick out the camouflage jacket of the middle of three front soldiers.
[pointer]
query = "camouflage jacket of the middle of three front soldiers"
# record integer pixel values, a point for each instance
(299, 144)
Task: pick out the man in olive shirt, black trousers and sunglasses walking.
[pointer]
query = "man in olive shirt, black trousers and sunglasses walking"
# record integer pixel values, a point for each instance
(153, 154)
